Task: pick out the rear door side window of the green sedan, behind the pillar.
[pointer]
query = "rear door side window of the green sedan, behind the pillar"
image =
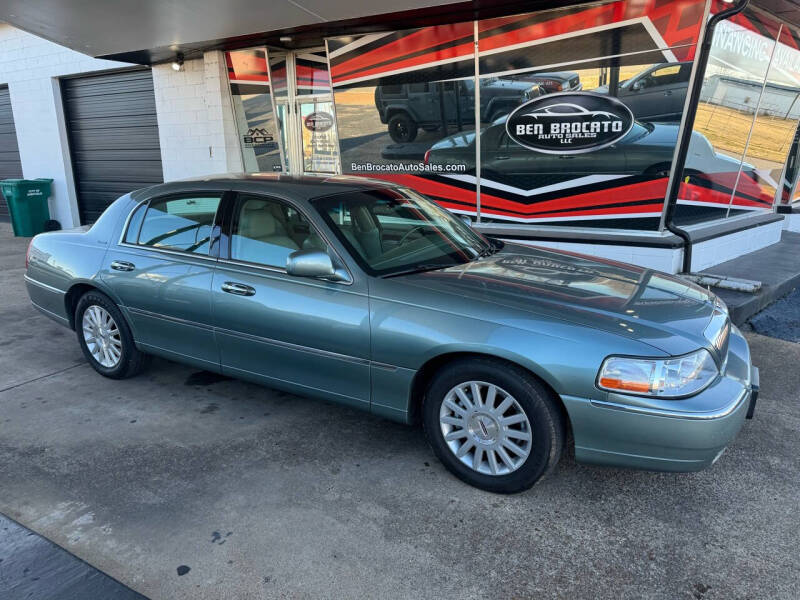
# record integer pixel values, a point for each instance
(183, 224)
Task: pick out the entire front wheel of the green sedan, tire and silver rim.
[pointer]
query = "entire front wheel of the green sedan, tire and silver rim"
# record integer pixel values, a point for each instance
(493, 425)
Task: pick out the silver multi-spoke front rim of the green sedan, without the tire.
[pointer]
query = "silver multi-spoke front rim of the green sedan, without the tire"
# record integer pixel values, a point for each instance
(485, 428)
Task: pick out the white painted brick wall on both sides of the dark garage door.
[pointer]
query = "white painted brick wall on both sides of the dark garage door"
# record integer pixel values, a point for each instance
(197, 128)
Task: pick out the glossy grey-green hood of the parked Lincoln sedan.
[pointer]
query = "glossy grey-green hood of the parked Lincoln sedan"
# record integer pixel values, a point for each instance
(664, 311)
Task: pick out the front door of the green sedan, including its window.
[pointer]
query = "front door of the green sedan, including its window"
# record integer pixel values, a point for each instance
(305, 335)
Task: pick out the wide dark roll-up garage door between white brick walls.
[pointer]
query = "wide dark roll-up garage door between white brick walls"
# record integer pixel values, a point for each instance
(113, 136)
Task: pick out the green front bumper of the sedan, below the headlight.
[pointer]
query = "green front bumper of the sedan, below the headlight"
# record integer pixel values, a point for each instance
(667, 435)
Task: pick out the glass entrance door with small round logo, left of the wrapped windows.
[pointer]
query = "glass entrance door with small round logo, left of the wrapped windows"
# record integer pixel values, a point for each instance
(305, 111)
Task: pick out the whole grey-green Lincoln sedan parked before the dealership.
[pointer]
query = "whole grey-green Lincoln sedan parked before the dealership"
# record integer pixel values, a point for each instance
(371, 295)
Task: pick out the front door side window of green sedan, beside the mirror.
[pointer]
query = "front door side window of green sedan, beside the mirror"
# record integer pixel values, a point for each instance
(267, 231)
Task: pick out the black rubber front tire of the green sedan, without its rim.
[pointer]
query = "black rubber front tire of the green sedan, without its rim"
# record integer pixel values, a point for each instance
(547, 422)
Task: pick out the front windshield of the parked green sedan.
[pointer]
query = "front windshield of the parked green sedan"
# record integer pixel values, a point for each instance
(397, 231)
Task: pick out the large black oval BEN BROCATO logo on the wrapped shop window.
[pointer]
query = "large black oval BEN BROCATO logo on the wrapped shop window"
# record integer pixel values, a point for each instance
(570, 123)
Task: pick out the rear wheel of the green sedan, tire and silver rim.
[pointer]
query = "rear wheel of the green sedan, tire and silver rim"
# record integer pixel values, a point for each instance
(105, 338)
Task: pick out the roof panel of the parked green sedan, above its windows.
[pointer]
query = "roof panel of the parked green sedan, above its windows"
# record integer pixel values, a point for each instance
(294, 187)
